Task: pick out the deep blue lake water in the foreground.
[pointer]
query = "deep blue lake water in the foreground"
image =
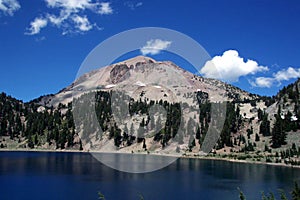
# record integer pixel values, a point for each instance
(43, 175)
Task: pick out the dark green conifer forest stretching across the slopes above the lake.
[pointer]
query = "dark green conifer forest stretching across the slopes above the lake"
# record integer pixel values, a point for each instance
(31, 125)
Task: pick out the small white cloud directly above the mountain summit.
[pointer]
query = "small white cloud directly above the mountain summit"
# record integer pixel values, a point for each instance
(154, 47)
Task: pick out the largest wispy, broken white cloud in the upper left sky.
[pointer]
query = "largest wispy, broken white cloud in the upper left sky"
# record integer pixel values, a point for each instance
(72, 17)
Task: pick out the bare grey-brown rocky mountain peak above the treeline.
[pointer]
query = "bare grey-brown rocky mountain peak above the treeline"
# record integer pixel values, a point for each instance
(149, 75)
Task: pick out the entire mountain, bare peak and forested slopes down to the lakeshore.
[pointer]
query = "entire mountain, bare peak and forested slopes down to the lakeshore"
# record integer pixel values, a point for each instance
(143, 105)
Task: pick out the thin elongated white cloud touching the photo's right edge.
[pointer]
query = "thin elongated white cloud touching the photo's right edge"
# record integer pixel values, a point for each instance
(282, 75)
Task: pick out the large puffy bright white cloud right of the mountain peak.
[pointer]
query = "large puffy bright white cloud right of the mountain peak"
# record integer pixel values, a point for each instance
(230, 66)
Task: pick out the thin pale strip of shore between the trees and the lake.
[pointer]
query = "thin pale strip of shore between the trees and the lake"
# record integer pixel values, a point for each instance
(156, 154)
